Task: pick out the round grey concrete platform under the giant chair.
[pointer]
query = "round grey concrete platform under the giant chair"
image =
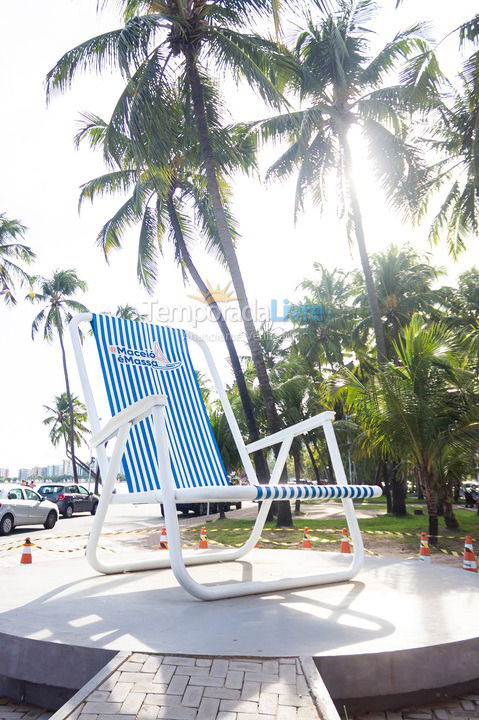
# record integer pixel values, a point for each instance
(364, 633)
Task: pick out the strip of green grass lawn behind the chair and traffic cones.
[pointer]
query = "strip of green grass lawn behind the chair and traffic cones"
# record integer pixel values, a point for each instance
(325, 534)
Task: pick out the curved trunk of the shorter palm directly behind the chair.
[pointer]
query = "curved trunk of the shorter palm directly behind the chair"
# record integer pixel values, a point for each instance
(258, 457)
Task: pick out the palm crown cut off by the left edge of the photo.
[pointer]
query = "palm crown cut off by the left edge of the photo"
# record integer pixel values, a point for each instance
(12, 251)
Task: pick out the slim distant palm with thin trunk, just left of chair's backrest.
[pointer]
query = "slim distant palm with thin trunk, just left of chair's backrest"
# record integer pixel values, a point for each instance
(56, 296)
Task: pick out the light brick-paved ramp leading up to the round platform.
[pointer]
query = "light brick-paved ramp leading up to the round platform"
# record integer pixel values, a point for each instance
(191, 688)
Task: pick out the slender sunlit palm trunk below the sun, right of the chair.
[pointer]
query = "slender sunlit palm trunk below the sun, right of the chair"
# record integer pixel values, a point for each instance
(363, 253)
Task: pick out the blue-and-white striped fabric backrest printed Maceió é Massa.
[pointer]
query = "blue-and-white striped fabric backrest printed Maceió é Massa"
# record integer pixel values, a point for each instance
(138, 359)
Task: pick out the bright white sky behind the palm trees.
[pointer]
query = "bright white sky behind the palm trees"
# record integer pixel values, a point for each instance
(41, 173)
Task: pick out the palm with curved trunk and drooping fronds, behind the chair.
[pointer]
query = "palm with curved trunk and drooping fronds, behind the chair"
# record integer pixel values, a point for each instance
(163, 198)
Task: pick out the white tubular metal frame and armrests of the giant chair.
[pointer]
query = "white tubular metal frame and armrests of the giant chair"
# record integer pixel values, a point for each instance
(119, 426)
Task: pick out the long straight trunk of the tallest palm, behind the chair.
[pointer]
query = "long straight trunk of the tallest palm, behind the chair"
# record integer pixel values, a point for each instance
(284, 509)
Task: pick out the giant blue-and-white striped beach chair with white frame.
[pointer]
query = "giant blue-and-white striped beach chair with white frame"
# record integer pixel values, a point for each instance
(160, 437)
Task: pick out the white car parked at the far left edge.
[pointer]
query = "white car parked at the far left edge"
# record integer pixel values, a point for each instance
(21, 505)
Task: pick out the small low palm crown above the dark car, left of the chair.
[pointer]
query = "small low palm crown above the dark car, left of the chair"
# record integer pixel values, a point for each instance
(58, 420)
